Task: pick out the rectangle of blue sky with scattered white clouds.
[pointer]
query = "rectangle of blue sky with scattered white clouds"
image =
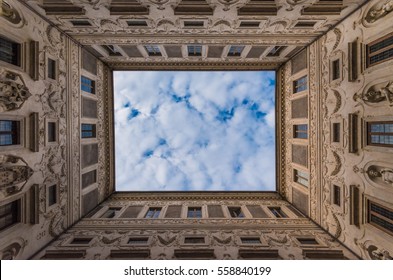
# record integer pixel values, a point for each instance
(194, 131)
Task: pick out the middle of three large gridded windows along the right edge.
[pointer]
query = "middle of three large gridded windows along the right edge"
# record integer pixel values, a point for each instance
(380, 134)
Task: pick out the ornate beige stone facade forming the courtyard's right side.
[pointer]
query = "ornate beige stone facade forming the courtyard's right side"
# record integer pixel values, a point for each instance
(345, 160)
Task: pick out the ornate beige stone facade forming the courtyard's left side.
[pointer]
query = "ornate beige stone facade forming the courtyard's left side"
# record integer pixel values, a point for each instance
(35, 98)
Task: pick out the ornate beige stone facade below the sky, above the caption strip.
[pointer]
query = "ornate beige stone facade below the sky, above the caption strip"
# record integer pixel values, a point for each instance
(106, 233)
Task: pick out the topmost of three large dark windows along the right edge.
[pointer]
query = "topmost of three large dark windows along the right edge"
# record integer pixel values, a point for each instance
(380, 50)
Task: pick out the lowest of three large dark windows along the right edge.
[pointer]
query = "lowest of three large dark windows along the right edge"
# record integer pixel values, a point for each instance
(380, 216)
